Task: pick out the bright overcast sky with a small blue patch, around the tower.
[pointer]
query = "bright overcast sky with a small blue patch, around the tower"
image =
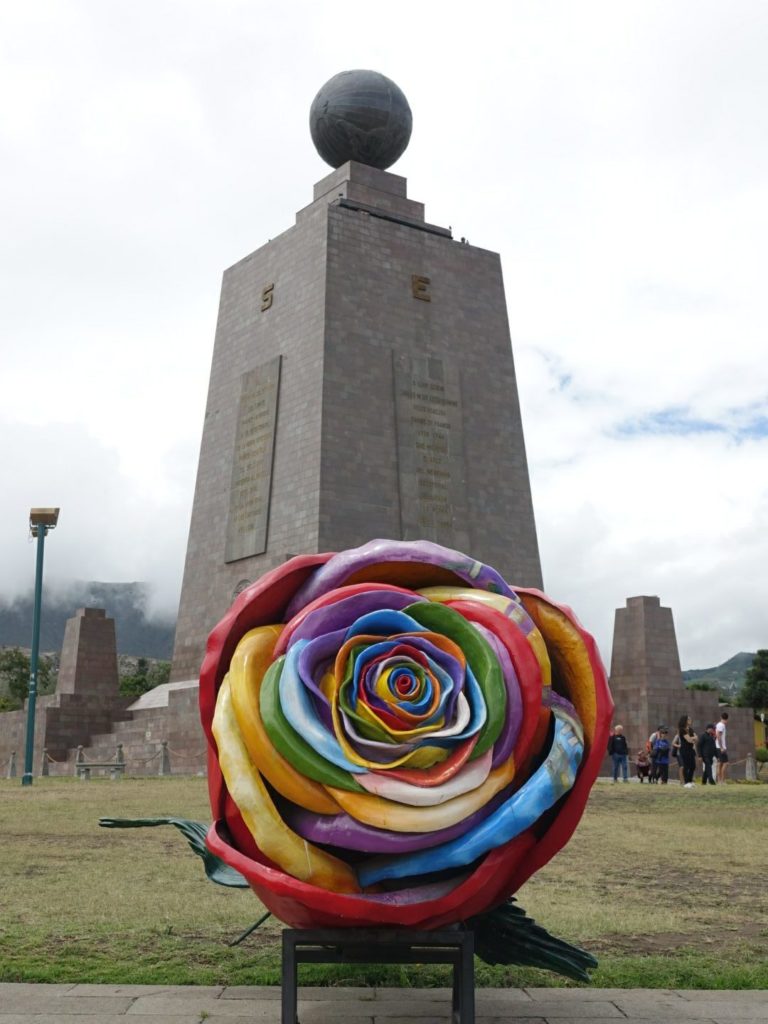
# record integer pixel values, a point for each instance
(614, 153)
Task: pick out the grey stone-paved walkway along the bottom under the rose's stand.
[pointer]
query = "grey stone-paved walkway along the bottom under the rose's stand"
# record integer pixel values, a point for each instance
(238, 1005)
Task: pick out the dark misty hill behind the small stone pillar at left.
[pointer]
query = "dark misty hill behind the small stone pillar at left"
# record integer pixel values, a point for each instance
(125, 603)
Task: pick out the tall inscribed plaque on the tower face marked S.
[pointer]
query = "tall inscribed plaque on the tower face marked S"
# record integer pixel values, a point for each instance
(252, 464)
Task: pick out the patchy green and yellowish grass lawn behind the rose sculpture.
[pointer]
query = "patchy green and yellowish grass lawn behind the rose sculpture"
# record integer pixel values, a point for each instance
(668, 887)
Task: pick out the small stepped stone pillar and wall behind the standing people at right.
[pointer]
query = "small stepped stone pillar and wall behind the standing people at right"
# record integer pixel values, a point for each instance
(648, 685)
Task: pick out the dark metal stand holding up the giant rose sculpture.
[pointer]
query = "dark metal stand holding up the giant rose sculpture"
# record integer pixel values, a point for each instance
(356, 946)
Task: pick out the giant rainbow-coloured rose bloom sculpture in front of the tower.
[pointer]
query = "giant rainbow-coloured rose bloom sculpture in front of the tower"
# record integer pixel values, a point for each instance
(397, 737)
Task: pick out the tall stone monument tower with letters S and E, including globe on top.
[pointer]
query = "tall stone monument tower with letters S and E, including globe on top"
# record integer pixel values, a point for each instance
(362, 386)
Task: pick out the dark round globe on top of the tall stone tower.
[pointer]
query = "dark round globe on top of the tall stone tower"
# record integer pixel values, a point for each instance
(363, 116)
